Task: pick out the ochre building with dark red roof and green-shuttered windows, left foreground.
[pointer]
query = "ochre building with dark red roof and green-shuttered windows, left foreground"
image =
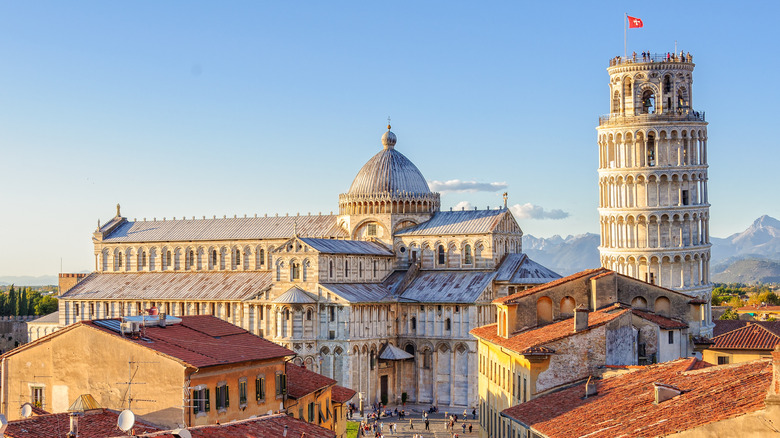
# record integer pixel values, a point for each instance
(191, 370)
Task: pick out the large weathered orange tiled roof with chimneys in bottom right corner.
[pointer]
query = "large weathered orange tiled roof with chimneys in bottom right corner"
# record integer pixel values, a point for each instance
(624, 405)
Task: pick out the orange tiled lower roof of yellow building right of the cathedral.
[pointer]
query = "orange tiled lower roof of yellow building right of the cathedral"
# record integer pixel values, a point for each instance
(540, 336)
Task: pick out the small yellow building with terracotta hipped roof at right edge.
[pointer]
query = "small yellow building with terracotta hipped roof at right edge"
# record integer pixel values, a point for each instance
(751, 341)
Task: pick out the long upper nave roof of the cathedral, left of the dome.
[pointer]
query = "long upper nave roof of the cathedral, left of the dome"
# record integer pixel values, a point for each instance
(225, 229)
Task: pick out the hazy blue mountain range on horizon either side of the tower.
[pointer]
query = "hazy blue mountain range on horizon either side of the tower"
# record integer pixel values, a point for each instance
(750, 256)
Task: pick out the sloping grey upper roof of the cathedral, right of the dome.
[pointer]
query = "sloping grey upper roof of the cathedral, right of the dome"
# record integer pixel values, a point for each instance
(457, 222)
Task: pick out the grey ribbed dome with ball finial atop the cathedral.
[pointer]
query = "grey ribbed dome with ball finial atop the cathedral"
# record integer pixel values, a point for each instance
(389, 171)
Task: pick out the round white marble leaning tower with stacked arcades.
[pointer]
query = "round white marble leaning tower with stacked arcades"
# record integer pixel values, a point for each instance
(653, 205)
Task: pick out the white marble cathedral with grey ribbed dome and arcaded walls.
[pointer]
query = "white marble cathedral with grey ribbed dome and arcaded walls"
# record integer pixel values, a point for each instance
(380, 296)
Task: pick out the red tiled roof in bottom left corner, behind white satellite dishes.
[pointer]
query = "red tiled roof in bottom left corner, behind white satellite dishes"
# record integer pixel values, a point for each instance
(99, 423)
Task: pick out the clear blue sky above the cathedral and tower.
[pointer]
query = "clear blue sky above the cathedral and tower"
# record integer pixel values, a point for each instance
(210, 108)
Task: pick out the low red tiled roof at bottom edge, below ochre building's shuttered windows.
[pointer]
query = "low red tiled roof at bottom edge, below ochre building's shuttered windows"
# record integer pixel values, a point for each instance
(268, 426)
